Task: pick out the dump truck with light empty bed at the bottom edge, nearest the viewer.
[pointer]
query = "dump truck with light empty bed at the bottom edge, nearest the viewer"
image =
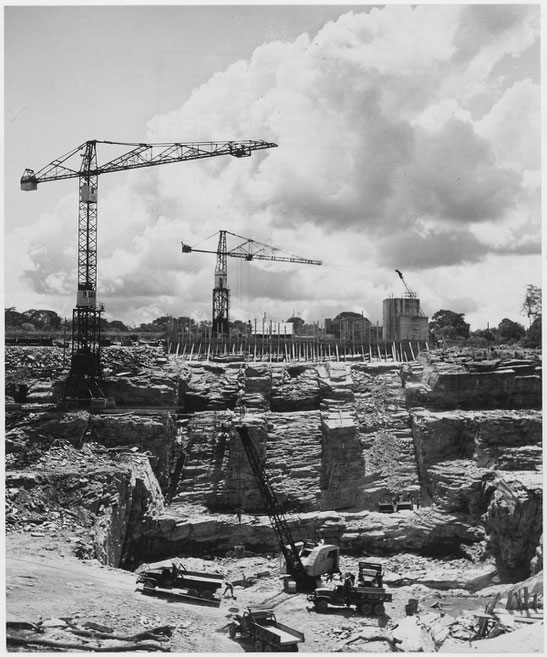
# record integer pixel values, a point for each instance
(267, 633)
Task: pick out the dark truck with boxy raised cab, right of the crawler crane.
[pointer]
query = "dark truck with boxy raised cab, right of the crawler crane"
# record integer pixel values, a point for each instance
(368, 597)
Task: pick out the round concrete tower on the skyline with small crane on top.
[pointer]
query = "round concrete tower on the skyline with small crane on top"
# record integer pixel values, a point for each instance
(404, 320)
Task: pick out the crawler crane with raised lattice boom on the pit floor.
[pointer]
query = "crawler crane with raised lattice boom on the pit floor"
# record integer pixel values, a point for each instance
(304, 561)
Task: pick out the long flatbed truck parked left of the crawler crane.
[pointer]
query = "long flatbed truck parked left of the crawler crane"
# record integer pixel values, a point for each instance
(197, 584)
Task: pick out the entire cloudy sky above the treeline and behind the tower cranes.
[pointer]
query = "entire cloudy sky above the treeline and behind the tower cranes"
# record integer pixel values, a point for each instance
(408, 138)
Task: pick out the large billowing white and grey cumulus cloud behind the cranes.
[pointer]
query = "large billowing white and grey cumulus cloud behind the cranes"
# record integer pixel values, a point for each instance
(405, 139)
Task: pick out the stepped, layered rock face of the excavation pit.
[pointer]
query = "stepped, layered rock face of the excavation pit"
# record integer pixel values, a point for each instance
(335, 438)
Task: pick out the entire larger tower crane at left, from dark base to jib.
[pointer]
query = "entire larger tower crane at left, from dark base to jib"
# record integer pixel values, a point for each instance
(85, 368)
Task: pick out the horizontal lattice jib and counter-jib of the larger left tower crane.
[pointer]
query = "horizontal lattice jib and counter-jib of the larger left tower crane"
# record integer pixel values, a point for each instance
(142, 155)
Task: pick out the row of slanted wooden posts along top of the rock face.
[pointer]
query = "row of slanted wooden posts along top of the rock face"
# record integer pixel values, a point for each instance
(296, 350)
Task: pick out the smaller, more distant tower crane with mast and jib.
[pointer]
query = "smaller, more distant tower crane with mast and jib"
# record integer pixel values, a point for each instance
(249, 250)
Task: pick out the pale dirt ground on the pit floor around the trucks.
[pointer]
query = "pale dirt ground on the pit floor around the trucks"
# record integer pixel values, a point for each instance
(44, 580)
